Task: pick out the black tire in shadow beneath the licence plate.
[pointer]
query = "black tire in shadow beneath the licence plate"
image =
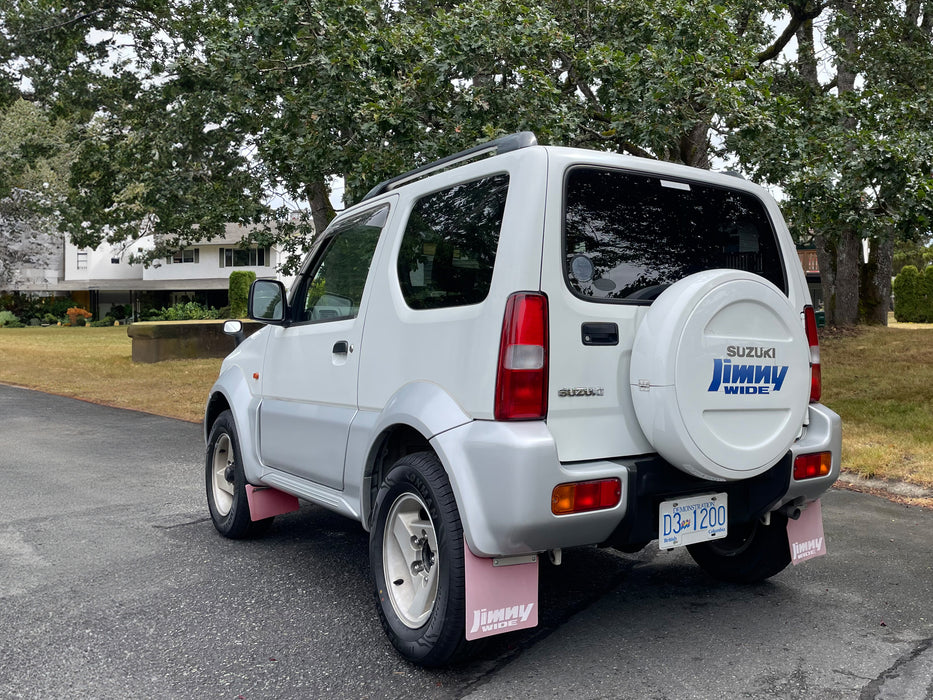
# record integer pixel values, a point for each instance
(750, 553)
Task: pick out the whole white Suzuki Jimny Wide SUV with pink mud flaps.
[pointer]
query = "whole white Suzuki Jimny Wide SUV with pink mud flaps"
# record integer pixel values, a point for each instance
(519, 349)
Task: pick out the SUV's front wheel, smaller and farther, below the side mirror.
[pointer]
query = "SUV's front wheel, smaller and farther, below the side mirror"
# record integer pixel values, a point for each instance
(226, 483)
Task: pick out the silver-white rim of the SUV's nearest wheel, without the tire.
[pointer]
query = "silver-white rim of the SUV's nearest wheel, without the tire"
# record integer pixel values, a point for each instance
(410, 560)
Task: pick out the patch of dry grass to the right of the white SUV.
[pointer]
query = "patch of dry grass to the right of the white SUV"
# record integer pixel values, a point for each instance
(880, 380)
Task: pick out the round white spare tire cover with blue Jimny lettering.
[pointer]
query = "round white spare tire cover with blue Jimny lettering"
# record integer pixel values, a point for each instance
(720, 374)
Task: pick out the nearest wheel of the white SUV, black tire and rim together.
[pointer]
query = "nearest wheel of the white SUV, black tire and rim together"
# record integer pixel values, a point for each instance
(419, 587)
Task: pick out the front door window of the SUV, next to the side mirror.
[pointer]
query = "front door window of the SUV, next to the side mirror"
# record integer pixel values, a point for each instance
(332, 289)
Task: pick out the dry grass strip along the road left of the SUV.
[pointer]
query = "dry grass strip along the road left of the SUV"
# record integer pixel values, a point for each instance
(95, 364)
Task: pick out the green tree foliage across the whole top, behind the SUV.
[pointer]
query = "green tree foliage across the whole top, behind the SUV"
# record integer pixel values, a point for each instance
(224, 103)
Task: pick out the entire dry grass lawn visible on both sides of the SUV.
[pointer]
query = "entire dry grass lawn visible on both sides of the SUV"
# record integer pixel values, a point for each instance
(880, 380)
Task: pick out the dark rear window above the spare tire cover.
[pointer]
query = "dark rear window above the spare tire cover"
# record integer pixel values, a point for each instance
(627, 236)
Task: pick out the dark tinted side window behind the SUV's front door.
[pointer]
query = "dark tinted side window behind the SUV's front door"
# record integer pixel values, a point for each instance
(449, 246)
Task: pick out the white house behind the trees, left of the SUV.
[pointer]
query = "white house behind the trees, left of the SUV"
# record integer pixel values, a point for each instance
(102, 278)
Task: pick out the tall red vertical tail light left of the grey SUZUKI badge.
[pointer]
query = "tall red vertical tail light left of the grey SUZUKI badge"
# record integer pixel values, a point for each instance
(521, 380)
